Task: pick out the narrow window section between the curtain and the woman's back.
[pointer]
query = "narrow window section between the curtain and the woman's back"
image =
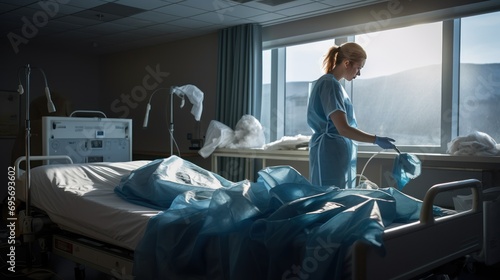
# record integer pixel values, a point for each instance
(296, 66)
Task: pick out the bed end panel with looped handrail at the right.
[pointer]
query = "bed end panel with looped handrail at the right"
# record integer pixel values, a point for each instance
(414, 249)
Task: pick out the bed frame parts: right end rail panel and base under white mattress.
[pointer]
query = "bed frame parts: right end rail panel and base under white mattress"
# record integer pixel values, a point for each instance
(410, 248)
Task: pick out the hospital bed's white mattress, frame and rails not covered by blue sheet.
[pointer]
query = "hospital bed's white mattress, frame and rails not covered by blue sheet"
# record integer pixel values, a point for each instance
(97, 228)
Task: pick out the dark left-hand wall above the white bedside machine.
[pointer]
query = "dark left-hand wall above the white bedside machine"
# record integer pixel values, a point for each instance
(75, 76)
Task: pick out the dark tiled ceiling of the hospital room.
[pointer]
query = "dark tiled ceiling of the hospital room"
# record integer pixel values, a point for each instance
(105, 26)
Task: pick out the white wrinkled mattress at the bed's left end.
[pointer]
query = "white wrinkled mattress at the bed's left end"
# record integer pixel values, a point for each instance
(80, 198)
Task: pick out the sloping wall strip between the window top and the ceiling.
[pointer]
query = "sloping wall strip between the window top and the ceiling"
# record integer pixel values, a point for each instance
(372, 18)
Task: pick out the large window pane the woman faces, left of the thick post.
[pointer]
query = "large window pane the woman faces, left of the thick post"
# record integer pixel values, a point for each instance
(398, 93)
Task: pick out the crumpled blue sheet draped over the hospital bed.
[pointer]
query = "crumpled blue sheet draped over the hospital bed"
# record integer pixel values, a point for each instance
(279, 227)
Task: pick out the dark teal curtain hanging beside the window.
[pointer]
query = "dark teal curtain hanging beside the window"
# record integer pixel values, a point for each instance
(239, 84)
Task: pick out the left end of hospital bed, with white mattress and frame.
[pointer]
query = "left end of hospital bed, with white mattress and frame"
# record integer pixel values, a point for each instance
(94, 227)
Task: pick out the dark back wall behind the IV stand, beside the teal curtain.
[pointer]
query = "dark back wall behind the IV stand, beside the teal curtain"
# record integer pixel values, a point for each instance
(129, 78)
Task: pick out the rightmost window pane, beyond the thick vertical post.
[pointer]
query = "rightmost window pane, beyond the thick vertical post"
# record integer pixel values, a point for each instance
(479, 95)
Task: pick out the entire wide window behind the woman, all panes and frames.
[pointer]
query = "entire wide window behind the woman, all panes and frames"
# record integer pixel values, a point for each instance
(402, 91)
